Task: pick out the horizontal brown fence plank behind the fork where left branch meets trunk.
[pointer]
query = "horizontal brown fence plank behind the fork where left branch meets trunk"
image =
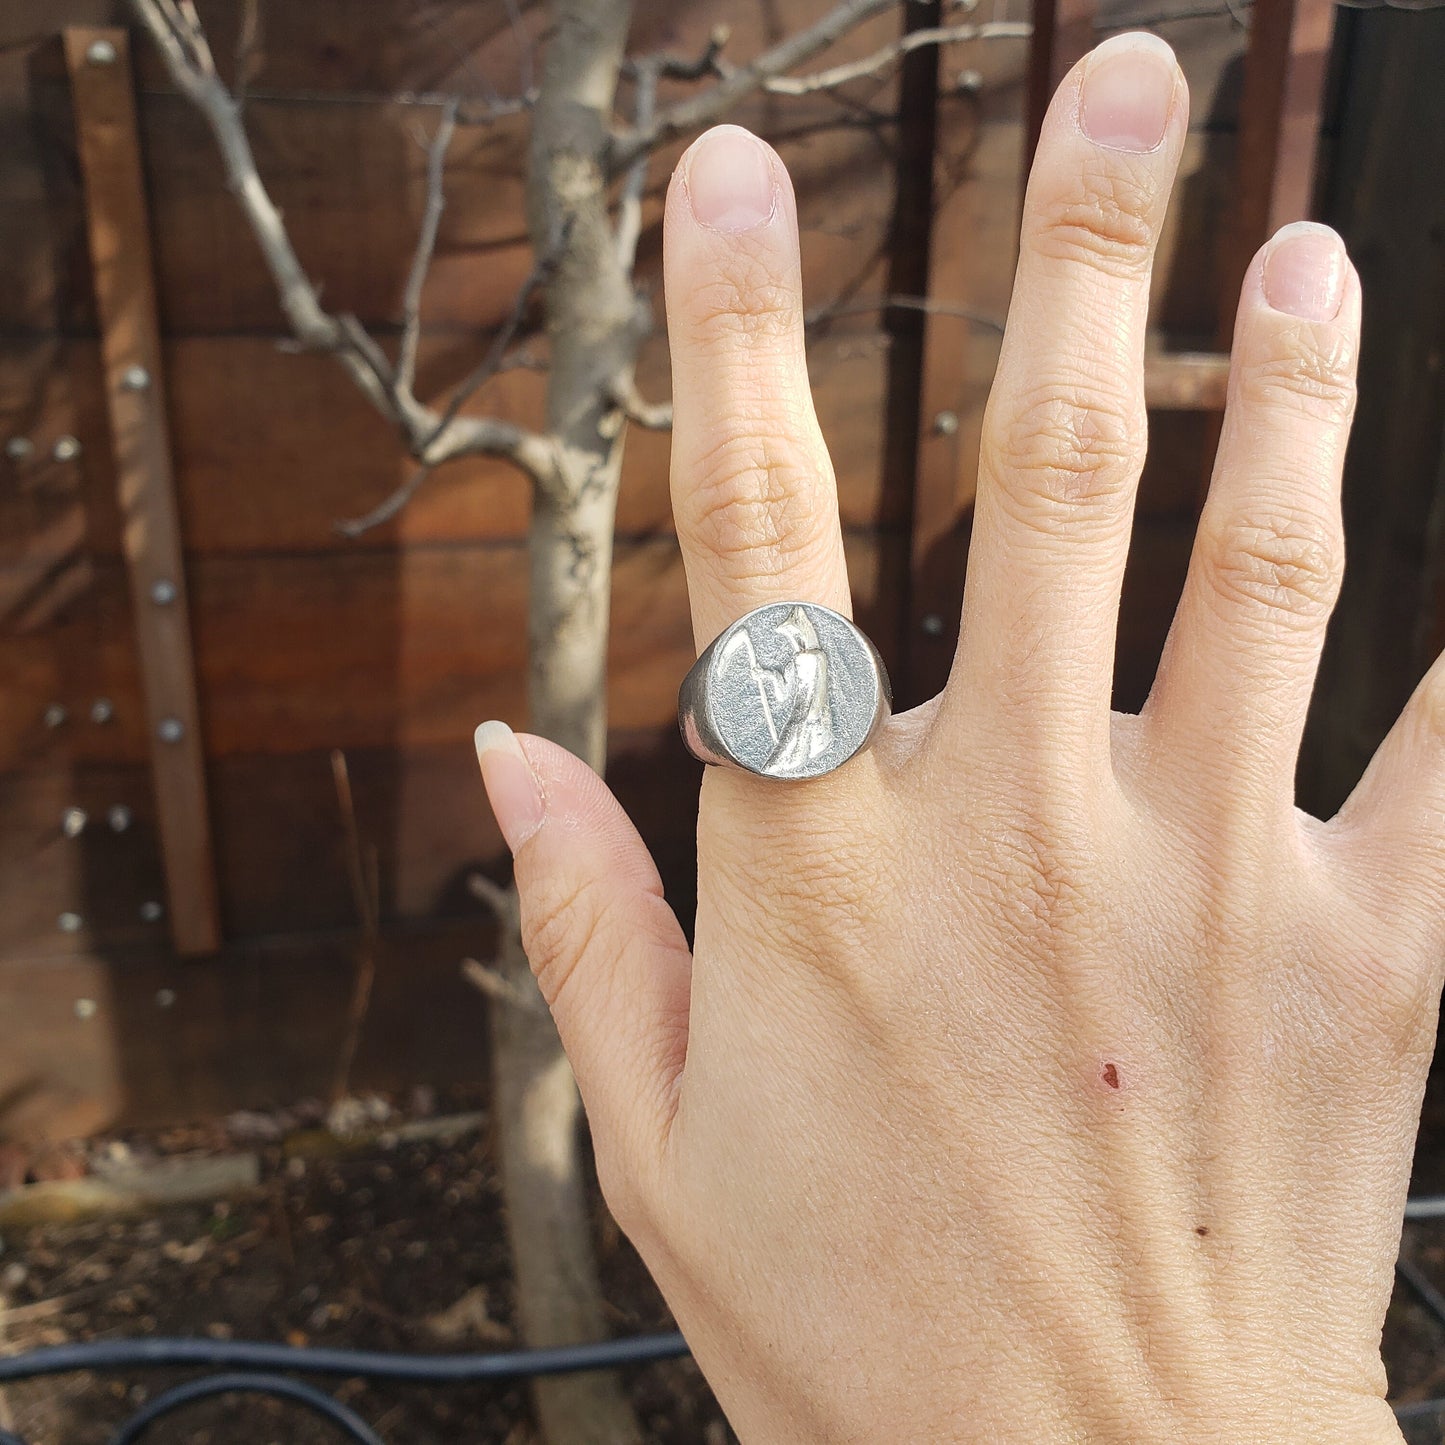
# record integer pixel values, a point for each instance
(313, 452)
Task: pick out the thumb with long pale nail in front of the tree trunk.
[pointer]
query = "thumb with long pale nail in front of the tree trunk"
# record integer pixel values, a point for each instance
(606, 949)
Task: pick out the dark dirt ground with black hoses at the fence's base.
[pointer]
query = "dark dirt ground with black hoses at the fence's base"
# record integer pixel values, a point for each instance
(378, 1241)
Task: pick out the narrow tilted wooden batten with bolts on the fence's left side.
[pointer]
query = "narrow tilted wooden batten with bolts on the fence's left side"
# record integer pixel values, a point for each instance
(118, 228)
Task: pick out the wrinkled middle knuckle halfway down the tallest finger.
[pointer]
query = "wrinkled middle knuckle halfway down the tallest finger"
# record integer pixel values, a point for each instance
(1067, 446)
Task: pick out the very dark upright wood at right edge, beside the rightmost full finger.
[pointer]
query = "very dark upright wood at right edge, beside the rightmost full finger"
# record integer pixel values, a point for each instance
(1386, 200)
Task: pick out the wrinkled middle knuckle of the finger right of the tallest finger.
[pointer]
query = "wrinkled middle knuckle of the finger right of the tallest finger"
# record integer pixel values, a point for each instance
(1287, 566)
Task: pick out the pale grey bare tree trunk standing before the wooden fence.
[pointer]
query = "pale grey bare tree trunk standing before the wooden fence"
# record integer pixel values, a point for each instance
(593, 326)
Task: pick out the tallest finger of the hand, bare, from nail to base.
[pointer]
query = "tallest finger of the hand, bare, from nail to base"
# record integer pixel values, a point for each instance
(1064, 431)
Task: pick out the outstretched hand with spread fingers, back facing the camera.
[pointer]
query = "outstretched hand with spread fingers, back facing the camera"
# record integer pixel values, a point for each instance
(1043, 1074)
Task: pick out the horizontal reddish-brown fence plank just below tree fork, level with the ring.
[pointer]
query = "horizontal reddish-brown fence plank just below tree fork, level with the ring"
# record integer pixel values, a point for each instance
(381, 648)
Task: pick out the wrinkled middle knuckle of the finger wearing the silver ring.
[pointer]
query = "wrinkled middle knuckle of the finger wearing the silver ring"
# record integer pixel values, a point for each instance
(754, 501)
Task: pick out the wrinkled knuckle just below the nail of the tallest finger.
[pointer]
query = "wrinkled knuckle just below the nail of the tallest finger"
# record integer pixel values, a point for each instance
(1105, 219)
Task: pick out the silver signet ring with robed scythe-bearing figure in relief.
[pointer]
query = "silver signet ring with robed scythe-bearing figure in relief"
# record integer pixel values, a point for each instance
(793, 690)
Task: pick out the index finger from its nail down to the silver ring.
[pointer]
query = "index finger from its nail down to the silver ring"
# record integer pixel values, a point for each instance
(752, 486)
